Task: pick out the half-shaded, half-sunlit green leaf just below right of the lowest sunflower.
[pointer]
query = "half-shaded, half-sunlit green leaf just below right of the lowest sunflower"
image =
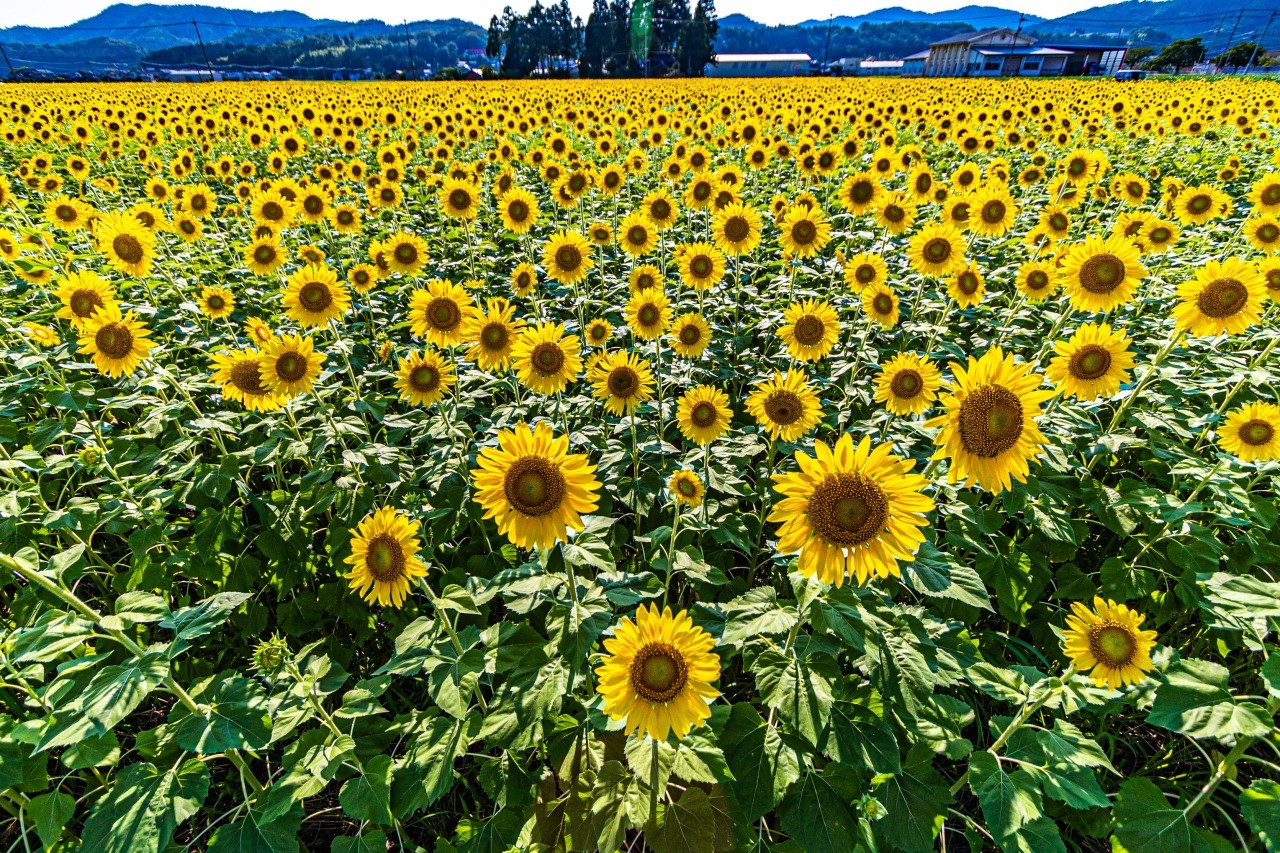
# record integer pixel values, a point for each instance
(762, 765)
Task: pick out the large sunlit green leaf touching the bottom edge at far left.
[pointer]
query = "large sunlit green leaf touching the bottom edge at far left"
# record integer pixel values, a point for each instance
(144, 808)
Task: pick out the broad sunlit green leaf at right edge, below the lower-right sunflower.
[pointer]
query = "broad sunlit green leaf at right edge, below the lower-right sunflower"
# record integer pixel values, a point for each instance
(1194, 699)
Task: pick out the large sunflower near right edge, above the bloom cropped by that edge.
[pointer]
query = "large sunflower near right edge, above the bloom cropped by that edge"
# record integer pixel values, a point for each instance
(1224, 298)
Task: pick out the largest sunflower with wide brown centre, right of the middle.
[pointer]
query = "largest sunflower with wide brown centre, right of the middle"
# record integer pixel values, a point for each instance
(851, 512)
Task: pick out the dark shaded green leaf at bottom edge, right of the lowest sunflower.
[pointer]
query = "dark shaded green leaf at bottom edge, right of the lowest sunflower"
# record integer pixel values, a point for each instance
(817, 811)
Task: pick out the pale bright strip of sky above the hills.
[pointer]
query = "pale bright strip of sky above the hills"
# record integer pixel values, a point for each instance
(54, 13)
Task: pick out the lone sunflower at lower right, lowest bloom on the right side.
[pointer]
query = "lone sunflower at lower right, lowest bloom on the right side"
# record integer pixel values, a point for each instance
(1109, 642)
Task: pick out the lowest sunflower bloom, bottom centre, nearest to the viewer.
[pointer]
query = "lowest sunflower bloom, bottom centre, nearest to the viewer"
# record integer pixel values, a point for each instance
(657, 674)
